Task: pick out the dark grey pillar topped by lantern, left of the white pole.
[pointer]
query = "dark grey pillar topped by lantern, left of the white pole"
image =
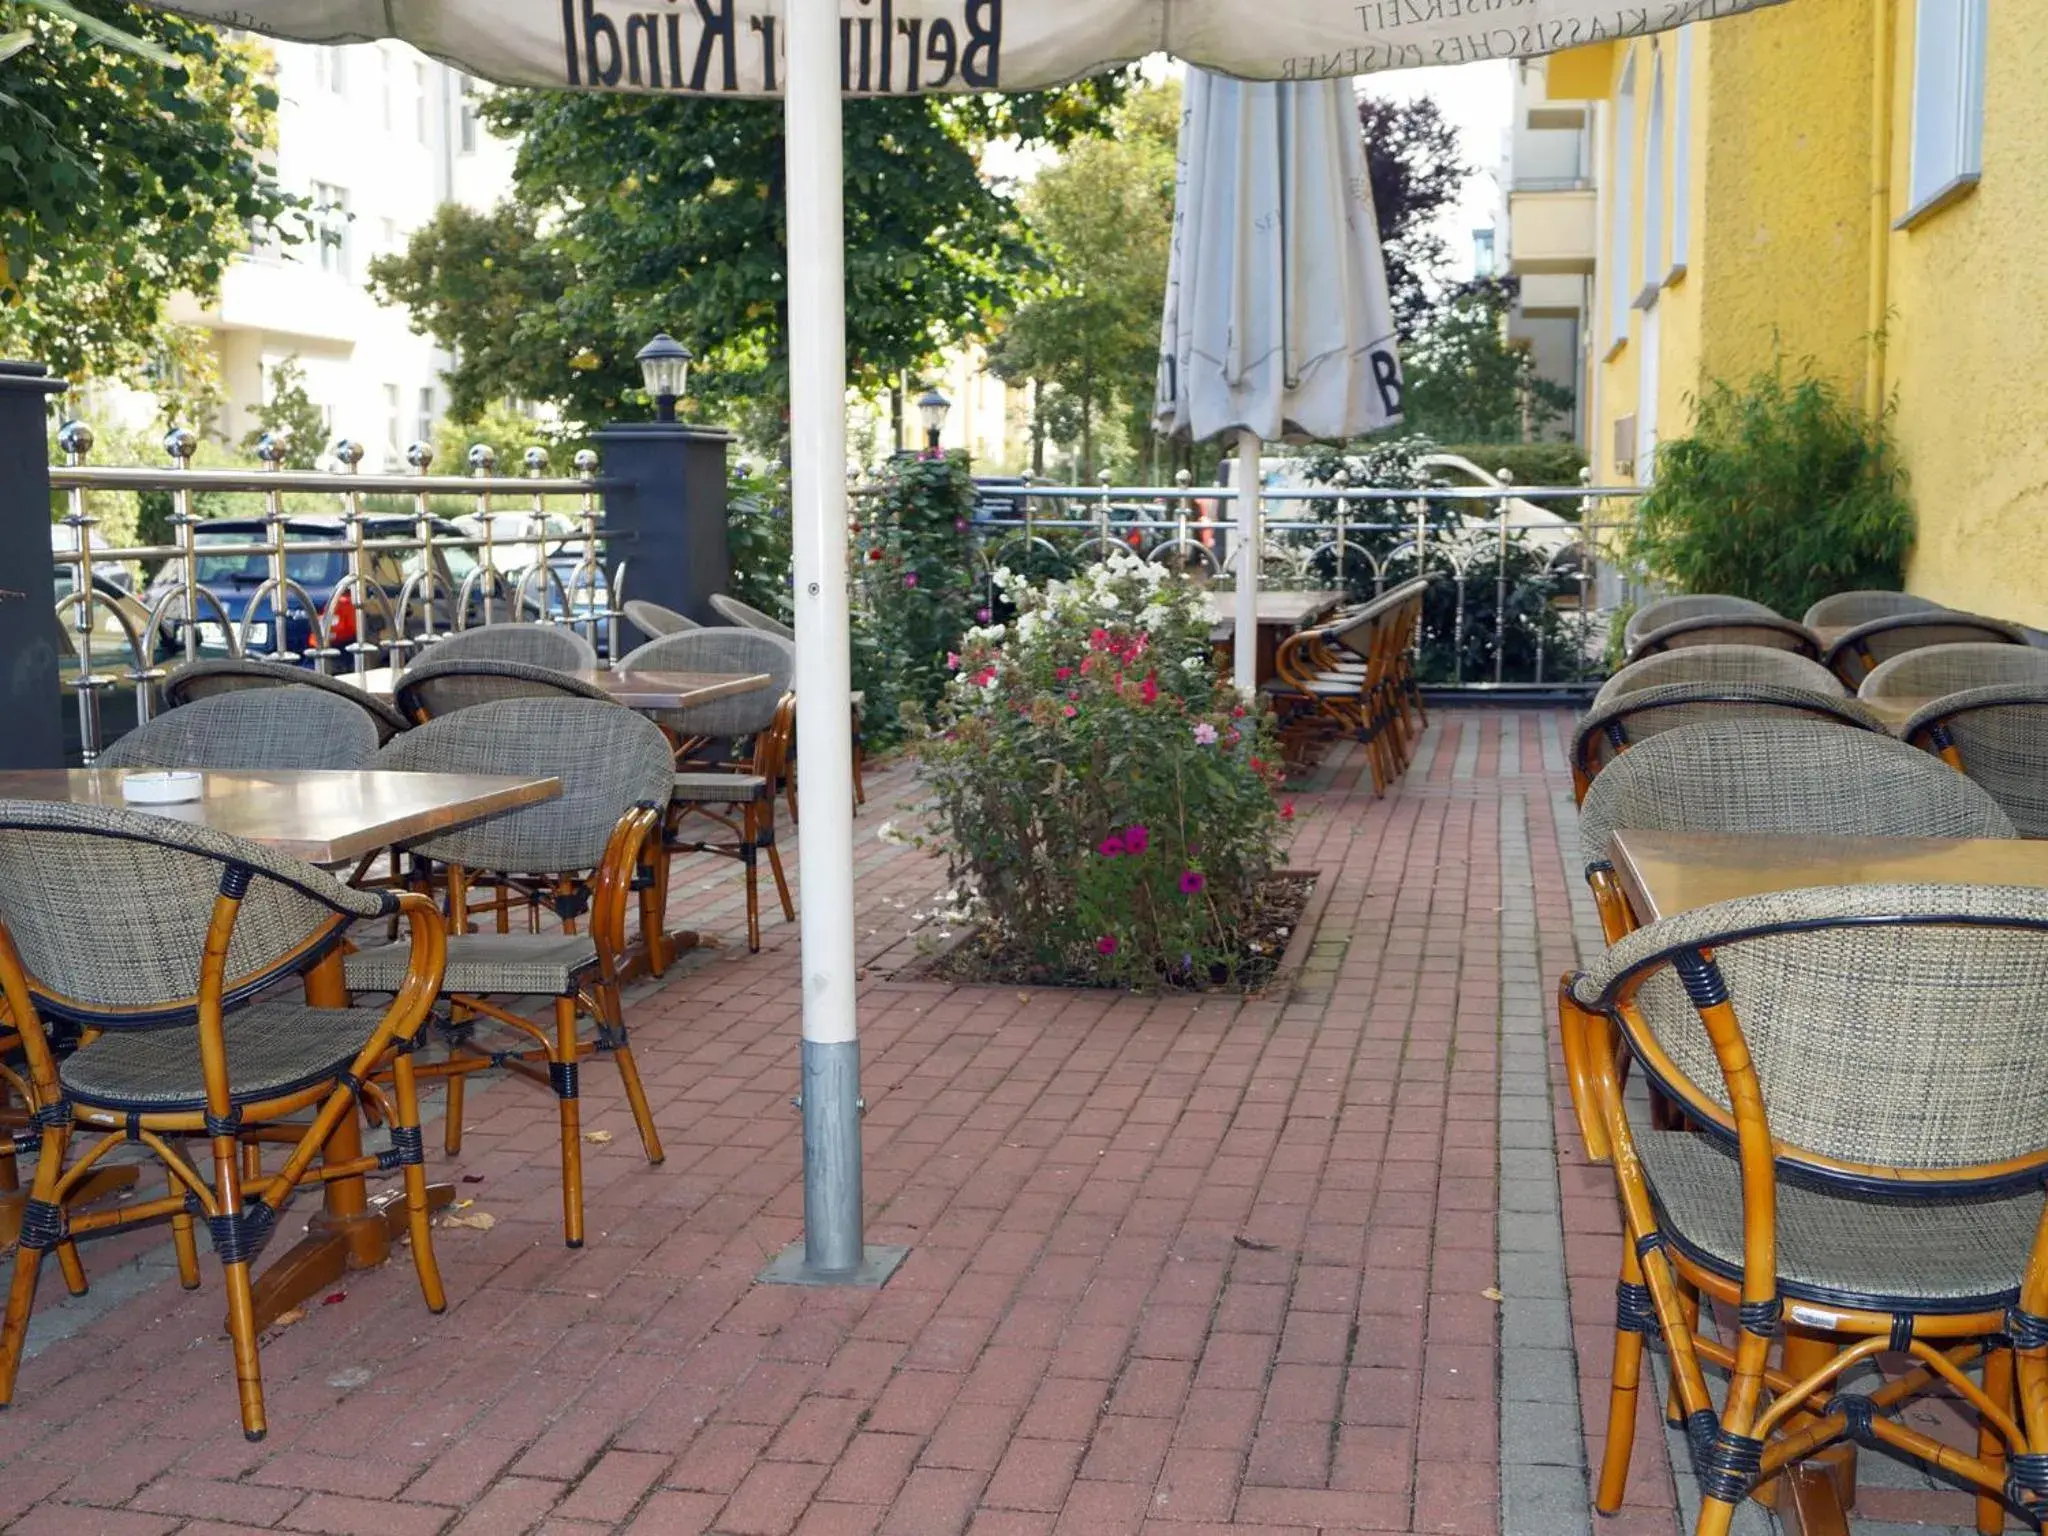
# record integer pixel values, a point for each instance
(665, 513)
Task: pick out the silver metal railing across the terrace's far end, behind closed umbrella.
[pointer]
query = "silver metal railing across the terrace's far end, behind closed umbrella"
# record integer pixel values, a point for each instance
(1545, 558)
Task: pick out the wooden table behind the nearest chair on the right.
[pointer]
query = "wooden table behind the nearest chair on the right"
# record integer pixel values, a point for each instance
(1666, 873)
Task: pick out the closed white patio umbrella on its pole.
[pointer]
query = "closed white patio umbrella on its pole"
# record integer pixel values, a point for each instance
(1277, 316)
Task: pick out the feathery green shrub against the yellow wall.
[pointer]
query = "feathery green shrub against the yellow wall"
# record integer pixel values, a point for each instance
(1785, 493)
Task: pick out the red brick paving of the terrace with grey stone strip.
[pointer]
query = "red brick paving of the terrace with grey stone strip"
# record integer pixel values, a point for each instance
(1187, 1267)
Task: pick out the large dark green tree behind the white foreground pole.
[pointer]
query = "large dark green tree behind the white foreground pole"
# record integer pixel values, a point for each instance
(642, 214)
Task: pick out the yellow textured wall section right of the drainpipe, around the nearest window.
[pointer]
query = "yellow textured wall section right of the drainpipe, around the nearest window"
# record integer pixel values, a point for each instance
(1967, 345)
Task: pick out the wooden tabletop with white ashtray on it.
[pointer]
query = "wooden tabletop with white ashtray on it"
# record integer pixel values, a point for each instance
(325, 816)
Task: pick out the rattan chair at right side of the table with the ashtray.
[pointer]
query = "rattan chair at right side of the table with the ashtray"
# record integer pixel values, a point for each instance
(615, 779)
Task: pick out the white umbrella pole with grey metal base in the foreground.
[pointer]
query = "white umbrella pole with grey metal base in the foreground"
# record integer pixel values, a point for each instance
(833, 1250)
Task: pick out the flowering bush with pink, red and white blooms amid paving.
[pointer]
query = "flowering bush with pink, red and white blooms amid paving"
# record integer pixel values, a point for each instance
(1107, 804)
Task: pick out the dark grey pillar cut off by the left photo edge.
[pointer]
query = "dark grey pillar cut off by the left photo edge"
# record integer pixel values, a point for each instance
(30, 693)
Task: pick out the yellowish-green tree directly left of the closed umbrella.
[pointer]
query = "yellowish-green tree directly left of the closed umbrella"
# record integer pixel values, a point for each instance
(1089, 335)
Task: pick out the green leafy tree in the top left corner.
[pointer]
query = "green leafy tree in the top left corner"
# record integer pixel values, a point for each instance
(124, 179)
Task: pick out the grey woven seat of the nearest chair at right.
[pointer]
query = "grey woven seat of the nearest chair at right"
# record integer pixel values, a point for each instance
(1949, 1256)
